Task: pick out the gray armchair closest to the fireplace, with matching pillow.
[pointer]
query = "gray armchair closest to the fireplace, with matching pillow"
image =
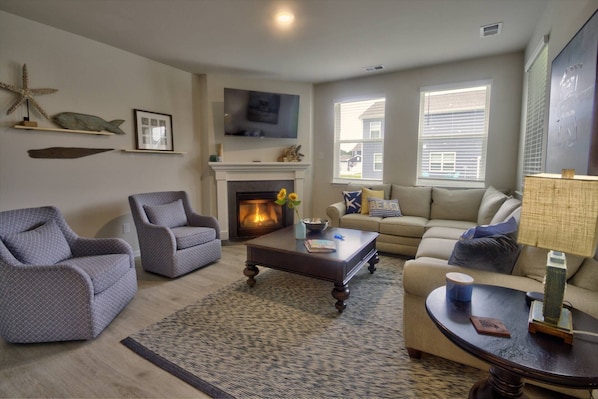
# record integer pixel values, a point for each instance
(173, 239)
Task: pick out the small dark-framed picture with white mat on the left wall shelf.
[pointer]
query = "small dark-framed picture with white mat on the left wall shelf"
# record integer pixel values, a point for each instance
(153, 131)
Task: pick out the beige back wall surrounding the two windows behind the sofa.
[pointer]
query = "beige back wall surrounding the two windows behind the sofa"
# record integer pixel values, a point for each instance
(401, 90)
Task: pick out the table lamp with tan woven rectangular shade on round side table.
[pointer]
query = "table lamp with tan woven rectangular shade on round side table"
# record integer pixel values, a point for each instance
(559, 213)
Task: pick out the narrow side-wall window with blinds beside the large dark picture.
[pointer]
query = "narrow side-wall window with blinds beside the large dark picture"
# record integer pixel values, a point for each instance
(533, 145)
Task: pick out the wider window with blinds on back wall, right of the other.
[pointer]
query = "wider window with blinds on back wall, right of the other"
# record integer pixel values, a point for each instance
(453, 134)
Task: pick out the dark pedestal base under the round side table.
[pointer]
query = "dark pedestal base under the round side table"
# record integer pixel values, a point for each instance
(499, 384)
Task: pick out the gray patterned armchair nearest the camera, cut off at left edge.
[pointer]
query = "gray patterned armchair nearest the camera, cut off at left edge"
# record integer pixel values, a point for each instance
(55, 285)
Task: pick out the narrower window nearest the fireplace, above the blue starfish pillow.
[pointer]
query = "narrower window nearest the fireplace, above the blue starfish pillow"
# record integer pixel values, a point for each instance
(359, 140)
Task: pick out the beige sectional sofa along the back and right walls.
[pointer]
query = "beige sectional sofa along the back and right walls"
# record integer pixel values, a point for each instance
(434, 220)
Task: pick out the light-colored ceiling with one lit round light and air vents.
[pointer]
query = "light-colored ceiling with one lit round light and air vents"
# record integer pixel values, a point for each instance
(329, 40)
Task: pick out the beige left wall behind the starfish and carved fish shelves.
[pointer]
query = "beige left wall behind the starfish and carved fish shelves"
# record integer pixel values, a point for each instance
(96, 79)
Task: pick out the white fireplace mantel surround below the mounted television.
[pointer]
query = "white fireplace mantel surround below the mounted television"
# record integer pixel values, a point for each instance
(253, 171)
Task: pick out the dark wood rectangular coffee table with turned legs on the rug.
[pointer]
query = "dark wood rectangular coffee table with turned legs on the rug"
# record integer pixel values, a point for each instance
(280, 250)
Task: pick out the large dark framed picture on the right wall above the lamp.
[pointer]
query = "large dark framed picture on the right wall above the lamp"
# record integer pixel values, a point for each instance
(573, 126)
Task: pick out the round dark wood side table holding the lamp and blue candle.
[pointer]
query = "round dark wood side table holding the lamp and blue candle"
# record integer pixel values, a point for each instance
(539, 357)
